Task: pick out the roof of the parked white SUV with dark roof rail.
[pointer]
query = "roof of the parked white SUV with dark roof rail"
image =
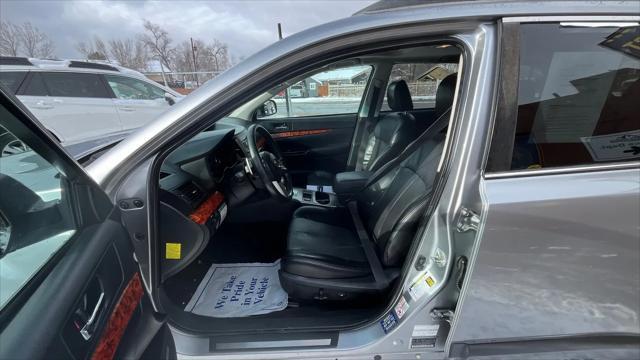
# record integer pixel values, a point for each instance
(12, 63)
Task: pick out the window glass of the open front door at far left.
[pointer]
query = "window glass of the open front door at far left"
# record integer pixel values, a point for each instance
(35, 217)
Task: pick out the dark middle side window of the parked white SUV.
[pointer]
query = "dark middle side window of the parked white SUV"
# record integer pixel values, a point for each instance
(67, 84)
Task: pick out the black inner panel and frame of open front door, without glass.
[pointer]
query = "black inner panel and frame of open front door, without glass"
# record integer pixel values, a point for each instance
(83, 300)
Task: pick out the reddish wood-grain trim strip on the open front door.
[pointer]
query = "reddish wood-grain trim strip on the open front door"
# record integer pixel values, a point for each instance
(119, 319)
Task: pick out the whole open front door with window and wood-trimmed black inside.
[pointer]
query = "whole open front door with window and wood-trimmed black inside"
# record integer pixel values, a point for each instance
(69, 283)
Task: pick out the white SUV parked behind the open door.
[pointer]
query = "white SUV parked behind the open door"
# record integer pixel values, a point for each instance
(81, 100)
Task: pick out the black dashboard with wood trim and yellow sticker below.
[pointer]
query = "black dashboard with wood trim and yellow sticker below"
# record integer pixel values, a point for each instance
(198, 183)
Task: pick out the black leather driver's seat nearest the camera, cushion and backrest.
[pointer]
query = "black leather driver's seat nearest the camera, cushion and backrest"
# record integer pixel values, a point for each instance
(325, 258)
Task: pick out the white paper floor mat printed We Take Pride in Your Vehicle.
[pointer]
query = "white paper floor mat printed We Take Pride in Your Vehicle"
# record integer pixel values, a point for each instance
(239, 290)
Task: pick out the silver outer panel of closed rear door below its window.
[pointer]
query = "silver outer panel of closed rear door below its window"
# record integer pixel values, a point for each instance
(561, 258)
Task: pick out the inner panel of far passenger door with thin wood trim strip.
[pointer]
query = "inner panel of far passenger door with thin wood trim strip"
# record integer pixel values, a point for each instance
(313, 143)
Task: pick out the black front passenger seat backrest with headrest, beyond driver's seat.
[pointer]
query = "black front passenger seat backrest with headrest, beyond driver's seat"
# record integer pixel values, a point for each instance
(394, 130)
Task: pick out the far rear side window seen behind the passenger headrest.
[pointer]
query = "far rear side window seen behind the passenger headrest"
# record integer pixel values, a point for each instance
(422, 80)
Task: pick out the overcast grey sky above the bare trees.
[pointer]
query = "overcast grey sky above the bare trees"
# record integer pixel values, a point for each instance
(246, 26)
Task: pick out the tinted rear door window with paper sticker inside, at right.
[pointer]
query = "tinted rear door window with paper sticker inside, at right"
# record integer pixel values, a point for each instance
(578, 96)
